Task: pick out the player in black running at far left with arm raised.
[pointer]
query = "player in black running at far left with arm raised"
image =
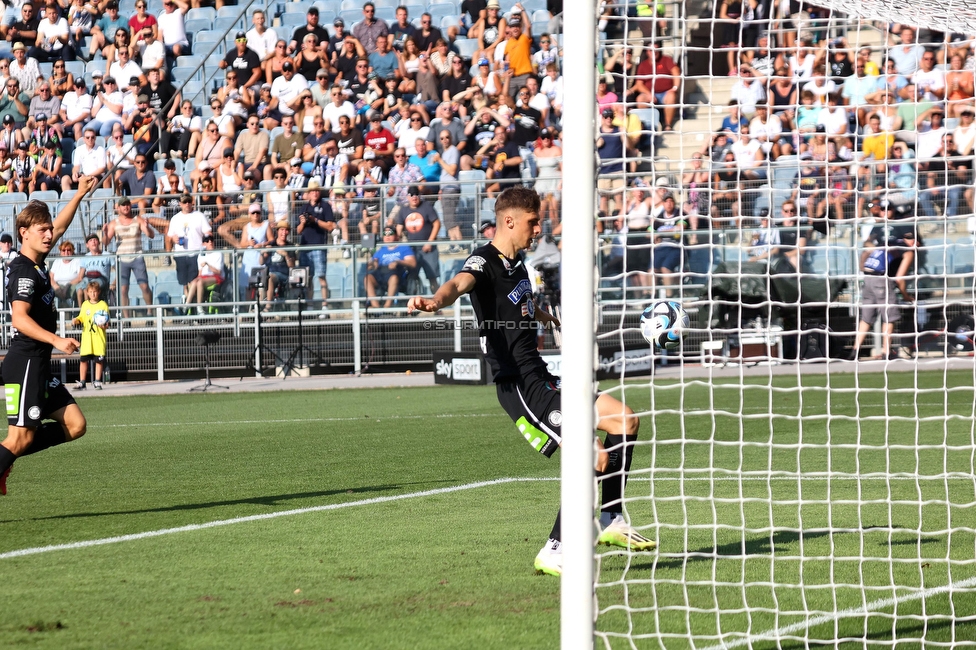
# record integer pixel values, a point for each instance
(32, 394)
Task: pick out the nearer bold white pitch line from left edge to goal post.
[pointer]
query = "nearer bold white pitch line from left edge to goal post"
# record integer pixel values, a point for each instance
(270, 515)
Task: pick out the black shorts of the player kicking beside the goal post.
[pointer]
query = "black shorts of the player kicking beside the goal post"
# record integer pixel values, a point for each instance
(533, 403)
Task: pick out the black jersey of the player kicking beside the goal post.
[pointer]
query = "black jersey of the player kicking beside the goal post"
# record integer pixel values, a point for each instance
(503, 305)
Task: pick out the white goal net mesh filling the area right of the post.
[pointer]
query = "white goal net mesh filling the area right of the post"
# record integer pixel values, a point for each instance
(803, 492)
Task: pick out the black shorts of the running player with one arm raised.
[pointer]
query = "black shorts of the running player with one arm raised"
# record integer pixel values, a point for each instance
(31, 393)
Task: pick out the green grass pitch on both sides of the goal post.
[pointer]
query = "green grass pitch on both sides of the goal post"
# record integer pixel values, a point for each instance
(741, 553)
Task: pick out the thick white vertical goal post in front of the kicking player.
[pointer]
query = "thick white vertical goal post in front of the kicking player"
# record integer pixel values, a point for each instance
(577, 488)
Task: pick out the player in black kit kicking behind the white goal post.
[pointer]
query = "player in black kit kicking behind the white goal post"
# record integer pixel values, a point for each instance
(501, 294)
